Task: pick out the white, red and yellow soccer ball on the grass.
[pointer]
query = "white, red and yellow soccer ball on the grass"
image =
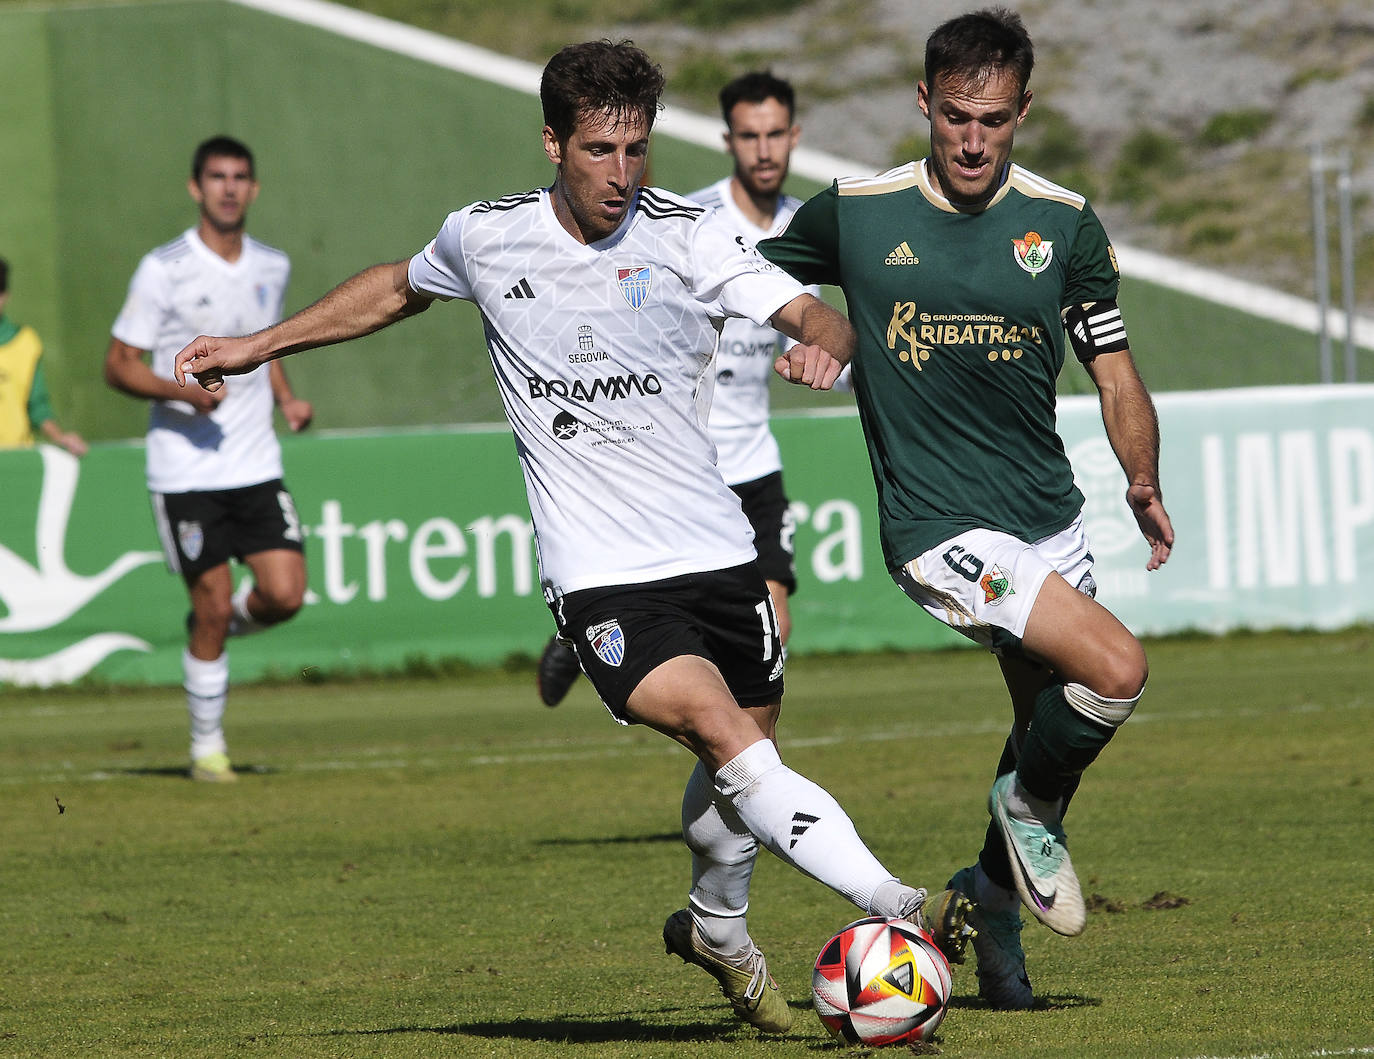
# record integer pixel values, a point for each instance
(881, 981)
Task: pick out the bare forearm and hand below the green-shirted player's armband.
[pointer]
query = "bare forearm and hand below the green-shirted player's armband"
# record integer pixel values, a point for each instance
(1134, 432)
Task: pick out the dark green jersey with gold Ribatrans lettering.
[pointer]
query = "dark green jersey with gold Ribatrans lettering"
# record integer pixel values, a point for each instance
(960, 344)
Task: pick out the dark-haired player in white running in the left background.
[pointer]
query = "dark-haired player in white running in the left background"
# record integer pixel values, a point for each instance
(214, 461)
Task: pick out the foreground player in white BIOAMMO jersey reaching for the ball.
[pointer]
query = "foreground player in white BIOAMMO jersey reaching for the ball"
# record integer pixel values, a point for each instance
(601, 303)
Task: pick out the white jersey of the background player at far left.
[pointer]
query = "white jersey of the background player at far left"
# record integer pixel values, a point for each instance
(179, 292)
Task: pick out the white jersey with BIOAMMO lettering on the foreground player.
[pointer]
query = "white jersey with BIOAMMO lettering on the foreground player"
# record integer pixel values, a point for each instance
(602, 355)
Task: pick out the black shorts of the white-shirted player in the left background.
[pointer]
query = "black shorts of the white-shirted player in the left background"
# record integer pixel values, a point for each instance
(205, 529)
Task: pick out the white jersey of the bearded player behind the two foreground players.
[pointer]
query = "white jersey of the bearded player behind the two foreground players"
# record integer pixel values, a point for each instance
(744, 361)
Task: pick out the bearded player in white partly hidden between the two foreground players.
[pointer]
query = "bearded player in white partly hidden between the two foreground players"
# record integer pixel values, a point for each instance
(761, 135)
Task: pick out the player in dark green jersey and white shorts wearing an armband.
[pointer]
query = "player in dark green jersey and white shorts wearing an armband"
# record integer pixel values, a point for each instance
(962, 274)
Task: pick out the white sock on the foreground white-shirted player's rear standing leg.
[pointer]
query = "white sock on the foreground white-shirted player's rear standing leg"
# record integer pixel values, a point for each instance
(723, 855)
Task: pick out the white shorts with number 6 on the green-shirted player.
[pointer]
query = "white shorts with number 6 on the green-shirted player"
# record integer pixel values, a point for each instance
(984, 583)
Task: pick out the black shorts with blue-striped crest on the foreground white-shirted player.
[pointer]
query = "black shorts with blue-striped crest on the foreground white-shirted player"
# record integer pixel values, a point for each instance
(624, 633)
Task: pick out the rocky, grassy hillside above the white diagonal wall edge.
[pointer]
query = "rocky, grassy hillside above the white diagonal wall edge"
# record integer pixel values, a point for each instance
(1192, 126)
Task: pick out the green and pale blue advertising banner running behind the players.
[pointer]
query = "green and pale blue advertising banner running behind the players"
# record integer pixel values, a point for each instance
(420, 546)
